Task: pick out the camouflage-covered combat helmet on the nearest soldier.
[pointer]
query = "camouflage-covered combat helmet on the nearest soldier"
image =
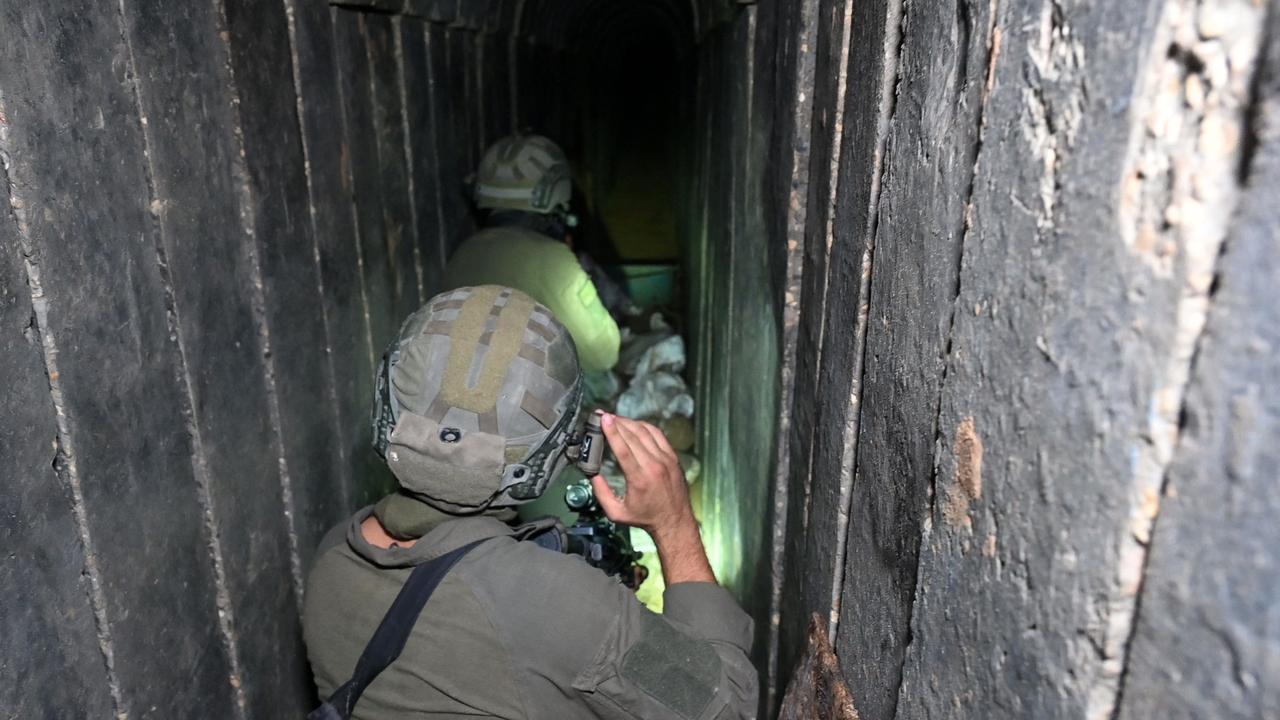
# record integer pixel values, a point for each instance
(477, 400)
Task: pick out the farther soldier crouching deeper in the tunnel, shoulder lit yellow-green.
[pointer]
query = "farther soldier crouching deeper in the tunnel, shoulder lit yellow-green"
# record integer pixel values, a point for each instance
(523, 188)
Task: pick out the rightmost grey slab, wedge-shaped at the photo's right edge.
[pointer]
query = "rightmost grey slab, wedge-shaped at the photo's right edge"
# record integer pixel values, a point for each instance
(1208, 637)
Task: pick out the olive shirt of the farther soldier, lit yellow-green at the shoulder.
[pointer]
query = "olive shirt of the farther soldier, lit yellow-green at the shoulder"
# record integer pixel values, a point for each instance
(548, 272)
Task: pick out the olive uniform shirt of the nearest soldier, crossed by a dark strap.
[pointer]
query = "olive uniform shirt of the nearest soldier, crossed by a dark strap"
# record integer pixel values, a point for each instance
(518, 631)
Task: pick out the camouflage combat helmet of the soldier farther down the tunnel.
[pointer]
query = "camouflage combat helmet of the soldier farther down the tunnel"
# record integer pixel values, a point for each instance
(524, 172)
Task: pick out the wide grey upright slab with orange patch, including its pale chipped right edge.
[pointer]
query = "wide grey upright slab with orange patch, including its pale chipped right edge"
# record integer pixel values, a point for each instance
(1078, 311)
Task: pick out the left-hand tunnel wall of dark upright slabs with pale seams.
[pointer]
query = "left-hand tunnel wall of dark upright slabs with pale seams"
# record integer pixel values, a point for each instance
(214, 221)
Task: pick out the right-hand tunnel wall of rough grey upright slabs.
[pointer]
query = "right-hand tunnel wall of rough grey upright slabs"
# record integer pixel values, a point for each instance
(1037, 298)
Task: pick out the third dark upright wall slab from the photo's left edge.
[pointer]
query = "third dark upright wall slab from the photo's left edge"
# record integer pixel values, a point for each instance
(185, 93)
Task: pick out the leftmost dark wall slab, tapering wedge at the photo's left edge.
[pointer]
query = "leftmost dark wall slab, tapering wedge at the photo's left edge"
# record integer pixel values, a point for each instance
(54, 625)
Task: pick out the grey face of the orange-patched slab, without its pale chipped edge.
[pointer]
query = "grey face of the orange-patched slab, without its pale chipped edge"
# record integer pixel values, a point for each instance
(1060, 331)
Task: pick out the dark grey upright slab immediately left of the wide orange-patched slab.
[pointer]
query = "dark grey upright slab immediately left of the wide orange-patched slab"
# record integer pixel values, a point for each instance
(929, 174)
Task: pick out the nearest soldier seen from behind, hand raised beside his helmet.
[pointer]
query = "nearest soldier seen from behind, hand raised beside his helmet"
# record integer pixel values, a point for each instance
(476, 409)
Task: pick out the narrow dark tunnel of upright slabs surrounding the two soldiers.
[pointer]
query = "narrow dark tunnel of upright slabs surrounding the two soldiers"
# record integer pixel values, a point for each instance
(977, 303)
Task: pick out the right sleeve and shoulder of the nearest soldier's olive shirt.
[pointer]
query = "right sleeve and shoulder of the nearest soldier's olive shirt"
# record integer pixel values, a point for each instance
(586, 648)
